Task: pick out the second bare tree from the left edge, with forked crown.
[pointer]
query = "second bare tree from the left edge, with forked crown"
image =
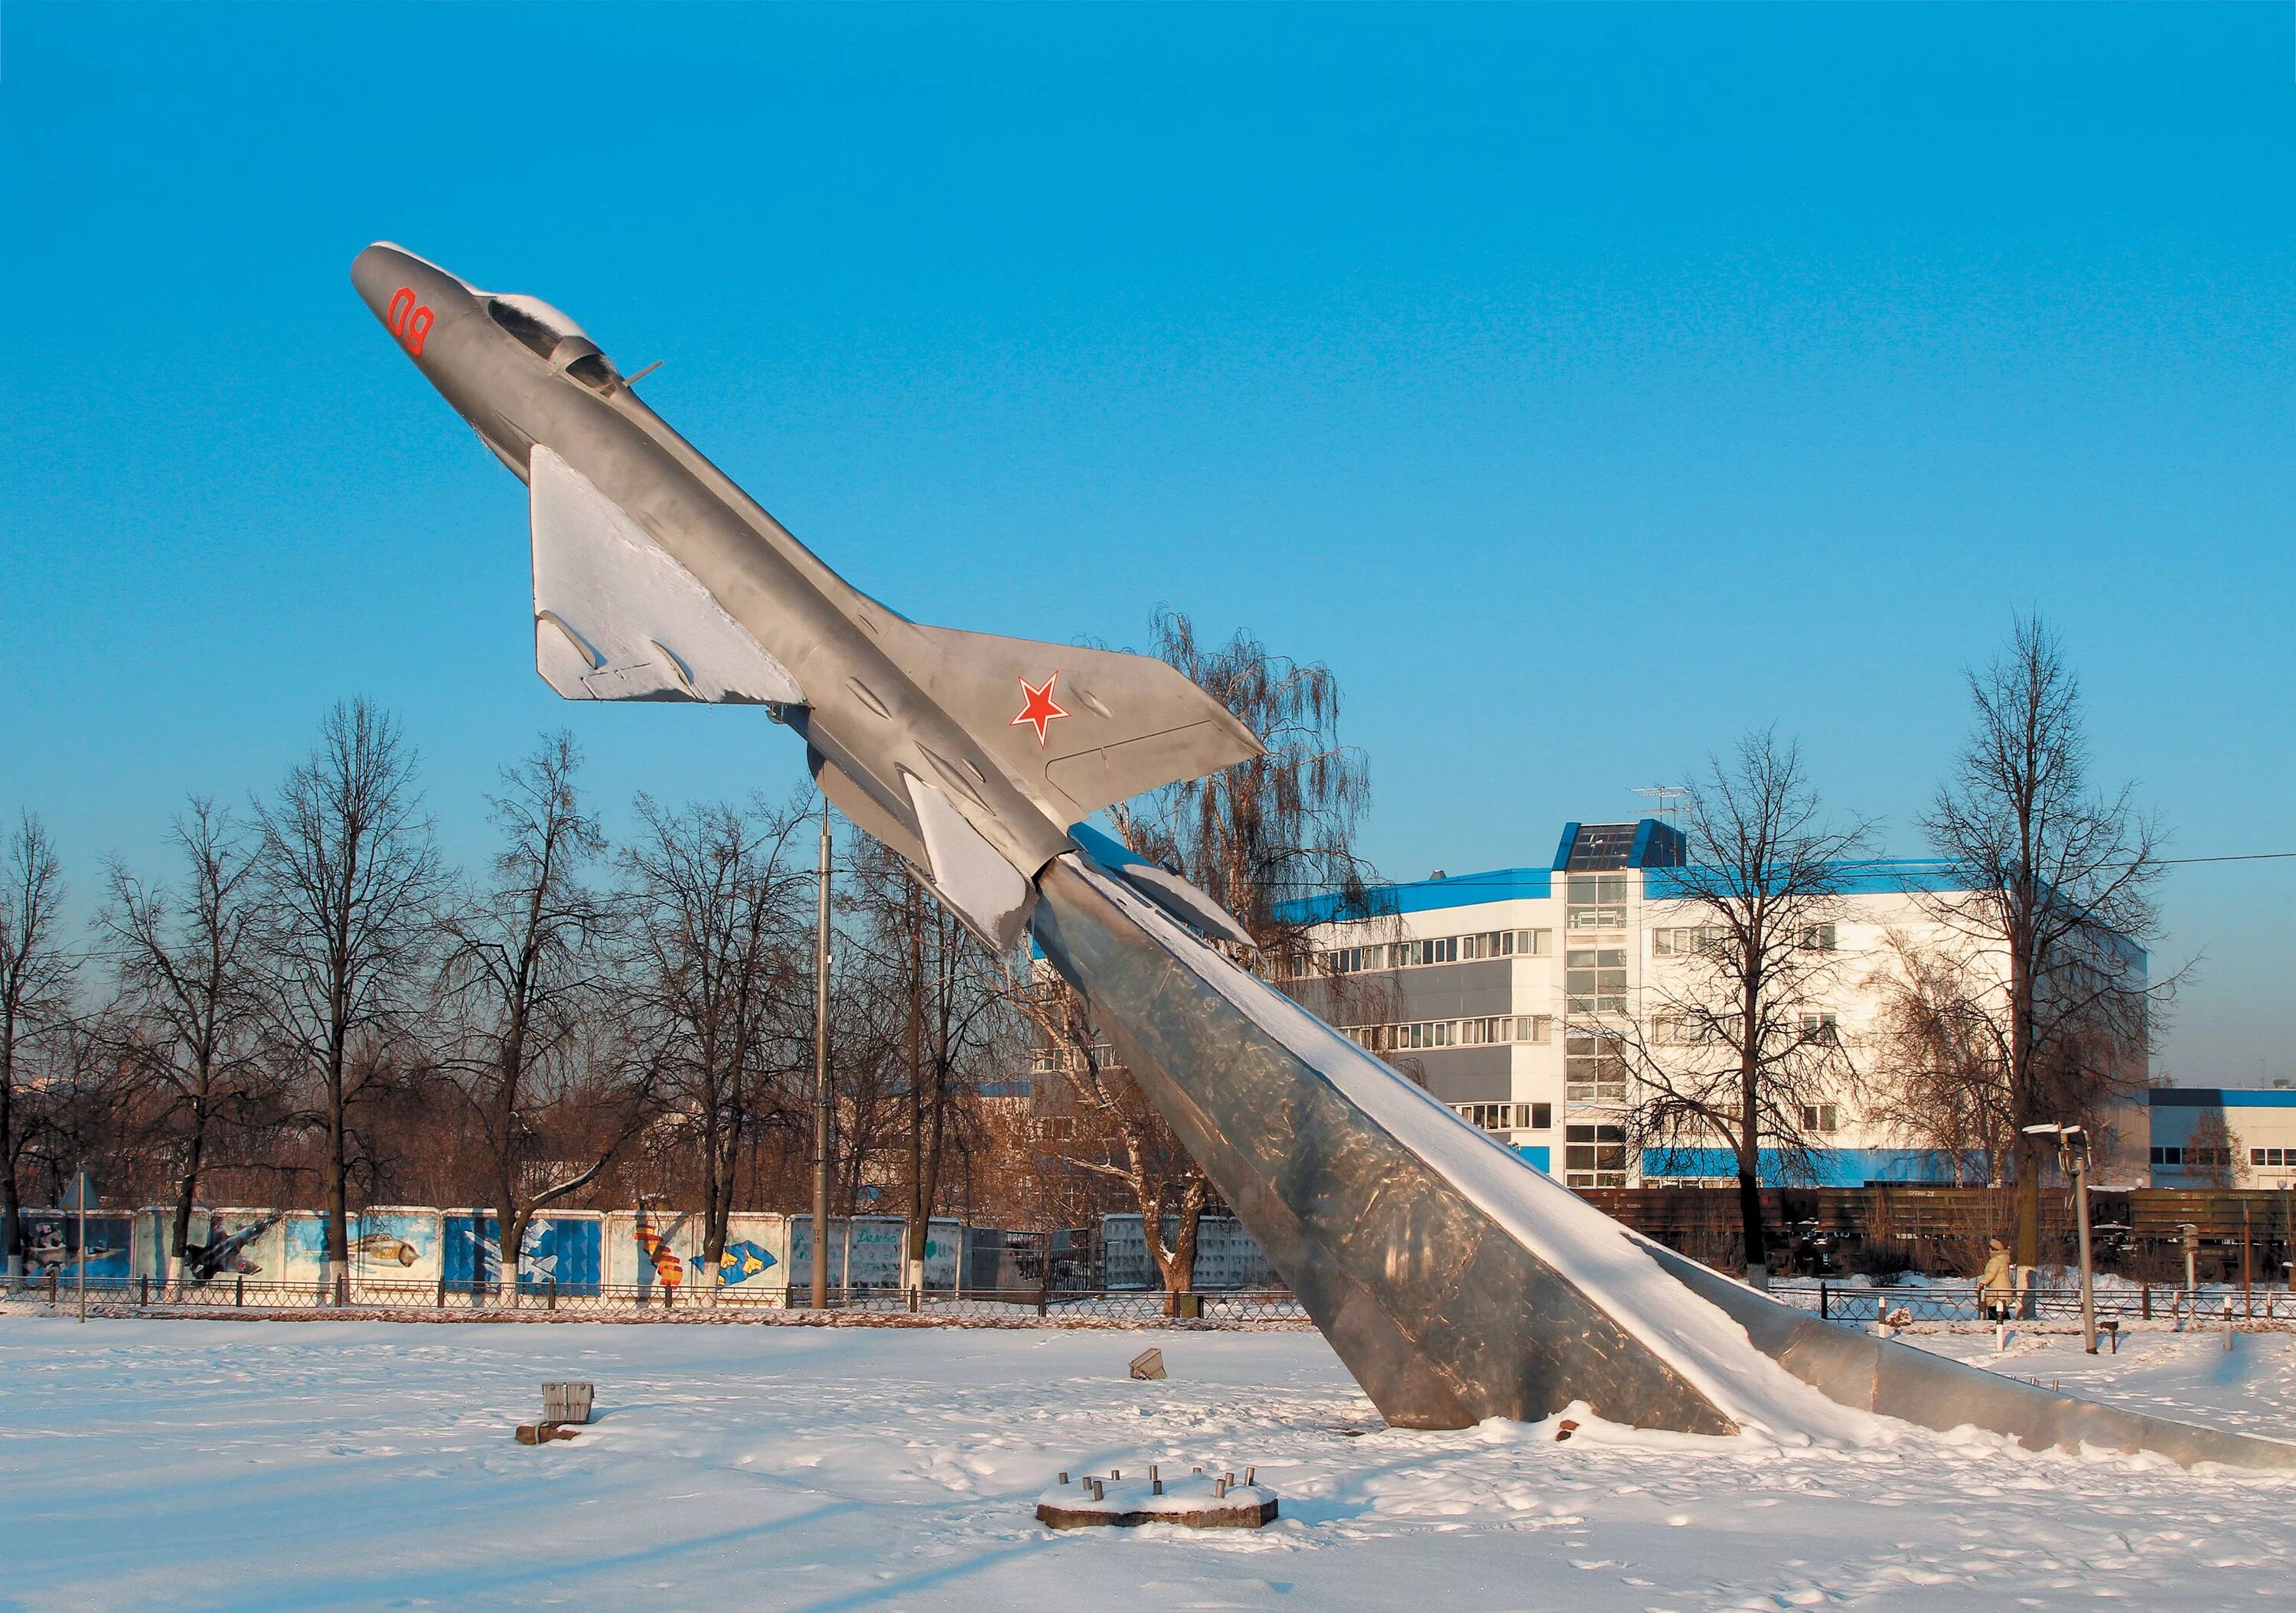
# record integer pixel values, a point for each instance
(187, 966)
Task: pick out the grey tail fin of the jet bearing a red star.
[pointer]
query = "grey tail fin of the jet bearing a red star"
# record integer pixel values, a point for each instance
(1078, 730)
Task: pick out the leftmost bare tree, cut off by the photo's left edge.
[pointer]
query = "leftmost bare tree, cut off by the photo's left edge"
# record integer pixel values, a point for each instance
(36, 1001)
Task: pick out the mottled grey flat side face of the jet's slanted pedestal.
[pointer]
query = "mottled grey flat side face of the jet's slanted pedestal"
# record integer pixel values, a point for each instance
(1441, 1315)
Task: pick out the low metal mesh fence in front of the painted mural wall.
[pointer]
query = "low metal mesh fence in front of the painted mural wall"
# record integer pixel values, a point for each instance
(672, 1304)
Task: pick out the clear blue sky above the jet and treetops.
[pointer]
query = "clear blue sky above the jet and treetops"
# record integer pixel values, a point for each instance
(1581, 385)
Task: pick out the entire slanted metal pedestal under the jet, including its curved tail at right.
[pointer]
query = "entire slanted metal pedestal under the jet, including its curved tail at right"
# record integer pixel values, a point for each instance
(1438, 1311)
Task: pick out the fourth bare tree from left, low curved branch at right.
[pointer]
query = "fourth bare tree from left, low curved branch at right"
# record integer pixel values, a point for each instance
(532, 980)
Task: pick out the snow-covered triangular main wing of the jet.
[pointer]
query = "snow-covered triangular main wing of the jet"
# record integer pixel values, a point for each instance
(616, 619)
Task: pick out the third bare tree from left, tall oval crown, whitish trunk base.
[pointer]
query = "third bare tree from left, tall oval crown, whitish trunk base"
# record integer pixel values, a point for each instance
(350, 881)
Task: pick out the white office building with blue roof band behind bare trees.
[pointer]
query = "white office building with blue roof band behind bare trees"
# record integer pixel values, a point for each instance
(1494, 991)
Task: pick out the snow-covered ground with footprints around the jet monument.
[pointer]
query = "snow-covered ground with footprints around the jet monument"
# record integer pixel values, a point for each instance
(373, 1465)
